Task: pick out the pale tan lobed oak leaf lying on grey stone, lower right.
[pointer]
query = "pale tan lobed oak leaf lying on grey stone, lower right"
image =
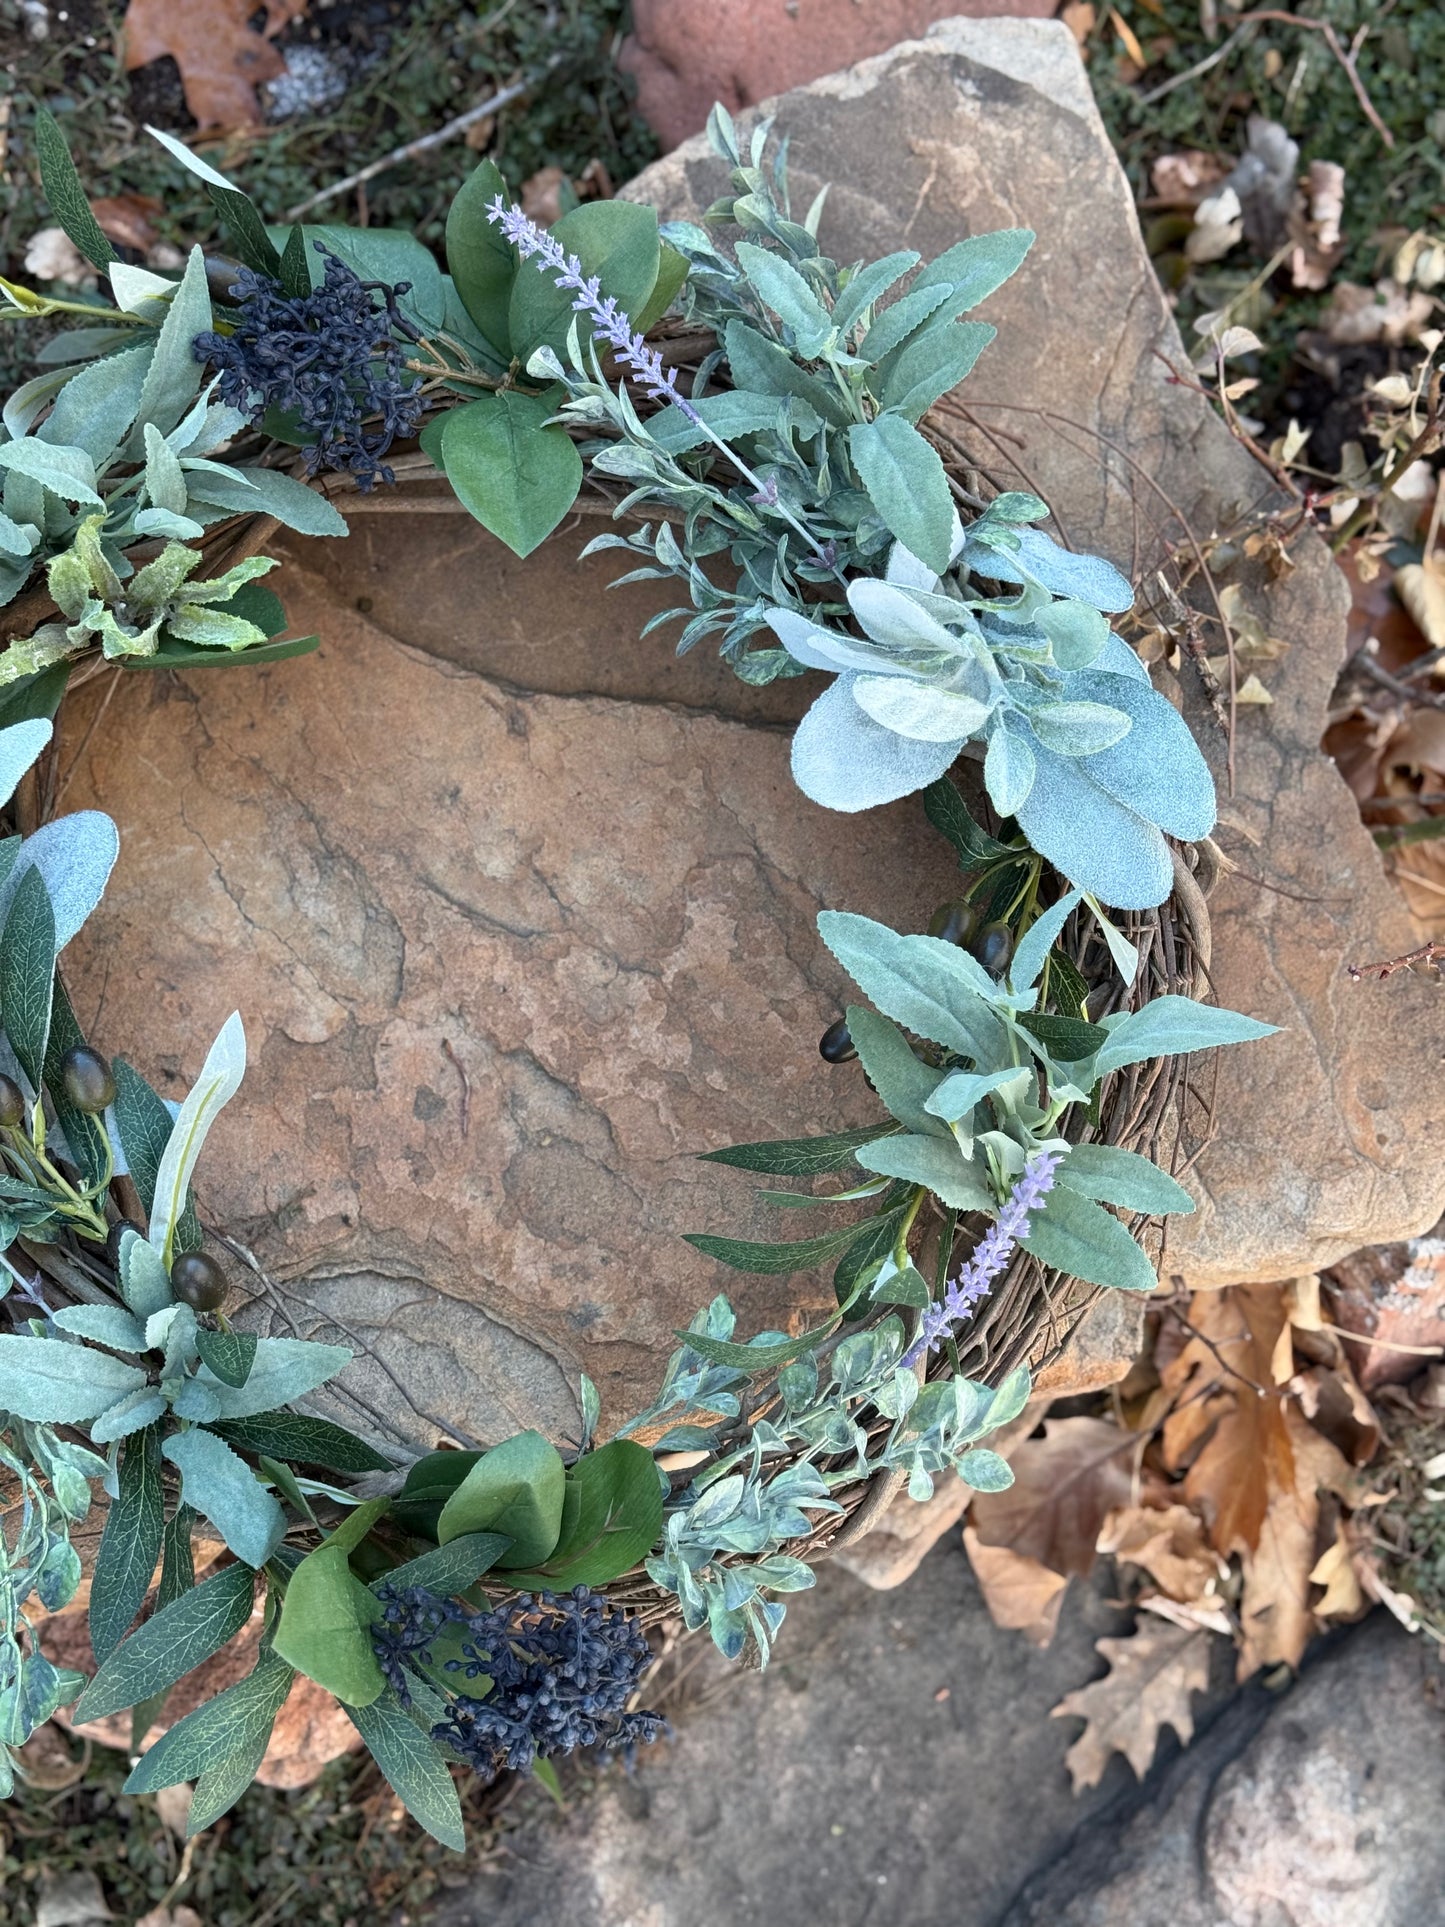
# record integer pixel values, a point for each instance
(1149, 1685)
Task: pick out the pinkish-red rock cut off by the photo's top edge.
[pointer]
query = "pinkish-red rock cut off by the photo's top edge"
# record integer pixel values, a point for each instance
(687, 55)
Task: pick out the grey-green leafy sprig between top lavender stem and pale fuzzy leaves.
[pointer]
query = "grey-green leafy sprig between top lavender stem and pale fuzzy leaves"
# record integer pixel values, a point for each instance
(822, 400)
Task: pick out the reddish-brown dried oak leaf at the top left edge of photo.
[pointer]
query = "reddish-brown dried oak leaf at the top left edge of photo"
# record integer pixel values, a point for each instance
(221, 55)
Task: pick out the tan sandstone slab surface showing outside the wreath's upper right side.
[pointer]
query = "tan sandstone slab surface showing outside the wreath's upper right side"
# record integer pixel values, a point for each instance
(1325, 1136)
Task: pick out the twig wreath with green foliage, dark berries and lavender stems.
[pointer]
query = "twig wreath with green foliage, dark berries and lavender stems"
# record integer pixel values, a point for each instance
(758, 421)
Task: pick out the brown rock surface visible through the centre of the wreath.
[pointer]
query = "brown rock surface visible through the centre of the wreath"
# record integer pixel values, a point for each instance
(508, 961)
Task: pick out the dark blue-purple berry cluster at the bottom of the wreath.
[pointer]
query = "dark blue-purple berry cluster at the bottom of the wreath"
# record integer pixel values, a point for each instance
(562, 1676)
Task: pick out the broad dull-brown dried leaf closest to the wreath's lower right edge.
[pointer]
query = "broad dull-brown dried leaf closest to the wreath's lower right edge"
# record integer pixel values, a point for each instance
(1064, 1487)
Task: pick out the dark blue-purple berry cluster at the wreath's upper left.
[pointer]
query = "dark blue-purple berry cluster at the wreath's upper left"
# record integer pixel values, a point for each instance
(328, 357)
